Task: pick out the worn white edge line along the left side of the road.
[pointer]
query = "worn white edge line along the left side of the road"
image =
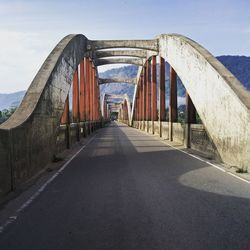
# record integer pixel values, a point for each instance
(12, 218)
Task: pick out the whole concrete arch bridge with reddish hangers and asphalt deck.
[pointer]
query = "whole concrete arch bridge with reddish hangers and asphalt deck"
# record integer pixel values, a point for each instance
(134, 183)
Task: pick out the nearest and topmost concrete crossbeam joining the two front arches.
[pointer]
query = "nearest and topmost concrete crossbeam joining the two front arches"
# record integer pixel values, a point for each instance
(109, 44)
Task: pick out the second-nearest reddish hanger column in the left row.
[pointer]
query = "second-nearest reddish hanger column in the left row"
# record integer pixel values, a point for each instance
(75, 103)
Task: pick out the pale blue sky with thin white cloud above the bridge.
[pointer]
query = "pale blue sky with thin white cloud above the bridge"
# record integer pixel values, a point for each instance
(30, 29)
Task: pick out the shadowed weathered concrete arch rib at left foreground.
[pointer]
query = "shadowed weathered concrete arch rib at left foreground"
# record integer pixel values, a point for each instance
(32, 129)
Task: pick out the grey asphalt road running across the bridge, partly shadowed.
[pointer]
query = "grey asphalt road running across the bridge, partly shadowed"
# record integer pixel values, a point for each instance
(129, 190)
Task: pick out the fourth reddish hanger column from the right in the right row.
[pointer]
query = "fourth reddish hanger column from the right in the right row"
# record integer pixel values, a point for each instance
(154, 94)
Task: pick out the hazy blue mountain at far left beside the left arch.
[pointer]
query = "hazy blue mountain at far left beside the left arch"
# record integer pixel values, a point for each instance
(11, 100)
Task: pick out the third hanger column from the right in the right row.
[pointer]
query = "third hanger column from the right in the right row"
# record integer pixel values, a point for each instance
(162, 115)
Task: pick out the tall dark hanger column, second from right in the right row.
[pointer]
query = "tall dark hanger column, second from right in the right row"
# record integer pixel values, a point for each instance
(173, 108)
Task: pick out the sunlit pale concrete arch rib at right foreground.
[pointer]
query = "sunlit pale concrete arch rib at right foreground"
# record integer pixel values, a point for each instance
(220, 99)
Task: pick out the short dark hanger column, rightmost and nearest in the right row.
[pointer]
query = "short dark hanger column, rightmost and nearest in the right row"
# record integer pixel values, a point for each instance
(190, 118)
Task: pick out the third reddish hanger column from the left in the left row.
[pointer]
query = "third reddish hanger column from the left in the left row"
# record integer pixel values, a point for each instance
(82, 91)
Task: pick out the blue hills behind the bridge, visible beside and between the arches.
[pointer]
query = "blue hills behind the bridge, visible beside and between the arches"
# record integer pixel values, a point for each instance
(238, 65)
